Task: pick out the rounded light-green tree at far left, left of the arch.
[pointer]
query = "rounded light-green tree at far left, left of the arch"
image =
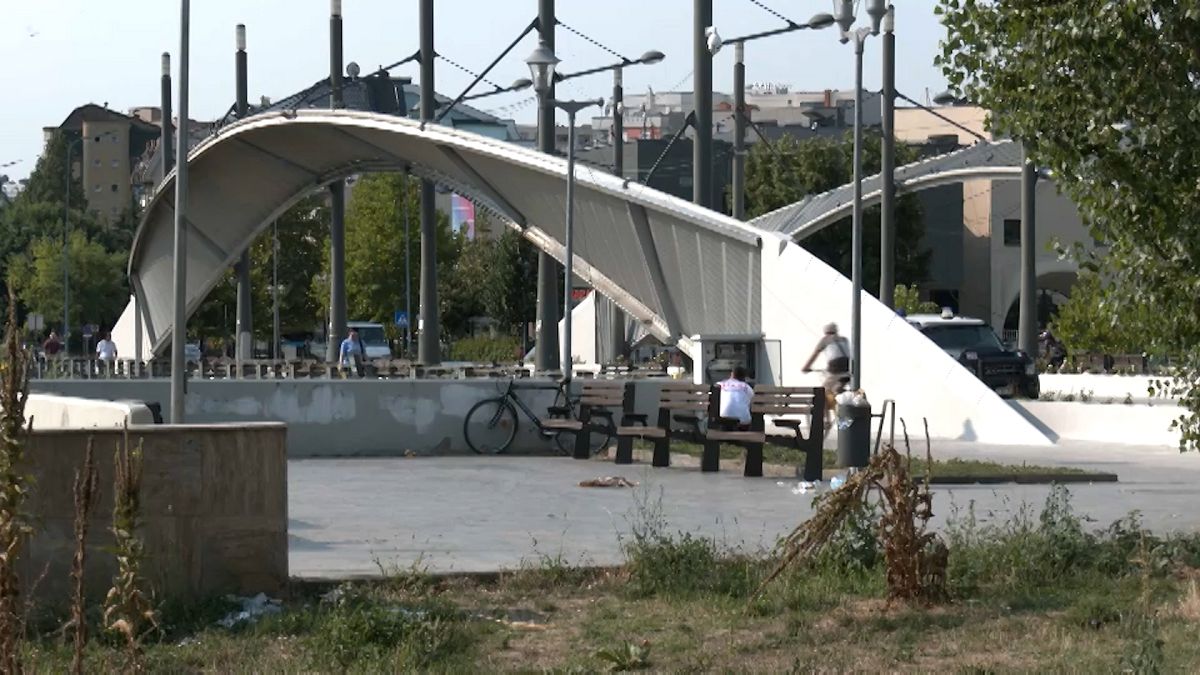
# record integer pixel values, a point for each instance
(99, 290)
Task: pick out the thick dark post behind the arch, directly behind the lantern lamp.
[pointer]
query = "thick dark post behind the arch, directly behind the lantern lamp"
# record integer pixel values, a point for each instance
(548, 282)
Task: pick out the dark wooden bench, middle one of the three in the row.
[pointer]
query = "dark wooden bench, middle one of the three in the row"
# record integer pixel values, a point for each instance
(680, 404)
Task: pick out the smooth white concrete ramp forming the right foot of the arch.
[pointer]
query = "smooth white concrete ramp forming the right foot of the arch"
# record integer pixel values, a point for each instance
(801, 295)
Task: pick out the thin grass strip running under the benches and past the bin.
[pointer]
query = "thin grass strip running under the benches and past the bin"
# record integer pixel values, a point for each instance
(950, 468)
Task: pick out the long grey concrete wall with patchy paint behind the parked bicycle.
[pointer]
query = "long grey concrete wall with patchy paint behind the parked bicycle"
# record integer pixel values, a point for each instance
(337, 417)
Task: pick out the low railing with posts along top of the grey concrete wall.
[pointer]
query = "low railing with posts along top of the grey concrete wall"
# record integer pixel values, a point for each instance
(268, 369)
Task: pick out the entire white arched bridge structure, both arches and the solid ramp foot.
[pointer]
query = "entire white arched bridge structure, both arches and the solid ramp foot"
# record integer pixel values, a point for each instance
(688, 274)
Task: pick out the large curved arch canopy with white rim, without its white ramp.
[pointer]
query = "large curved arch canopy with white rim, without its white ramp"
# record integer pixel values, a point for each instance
(679, 268)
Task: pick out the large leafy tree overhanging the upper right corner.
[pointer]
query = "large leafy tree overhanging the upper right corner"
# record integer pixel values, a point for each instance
(1105, 97)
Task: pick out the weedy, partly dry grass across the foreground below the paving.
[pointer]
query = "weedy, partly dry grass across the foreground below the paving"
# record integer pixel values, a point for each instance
(1040, 593)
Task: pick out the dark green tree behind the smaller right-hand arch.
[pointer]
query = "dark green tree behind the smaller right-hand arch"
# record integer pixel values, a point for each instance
(796, 170)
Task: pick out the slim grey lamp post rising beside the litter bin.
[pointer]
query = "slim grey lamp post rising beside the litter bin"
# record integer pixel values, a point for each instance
(845, 20)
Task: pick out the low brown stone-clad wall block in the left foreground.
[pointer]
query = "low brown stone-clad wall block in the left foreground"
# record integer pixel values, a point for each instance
(214, 501)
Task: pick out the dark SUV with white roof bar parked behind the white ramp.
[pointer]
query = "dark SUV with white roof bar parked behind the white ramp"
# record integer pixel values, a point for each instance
(975, 345)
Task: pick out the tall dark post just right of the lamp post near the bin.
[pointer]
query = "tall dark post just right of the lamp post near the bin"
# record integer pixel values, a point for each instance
(889, 160)
